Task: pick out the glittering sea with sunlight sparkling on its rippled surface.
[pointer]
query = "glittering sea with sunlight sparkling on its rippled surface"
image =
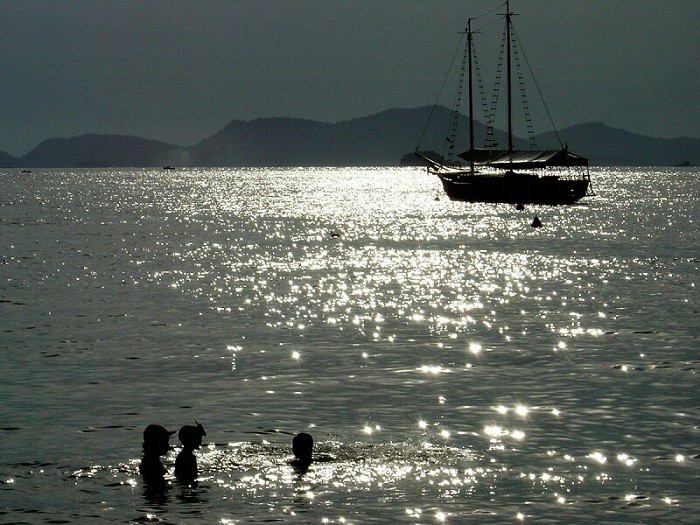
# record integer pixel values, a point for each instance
(453, 364)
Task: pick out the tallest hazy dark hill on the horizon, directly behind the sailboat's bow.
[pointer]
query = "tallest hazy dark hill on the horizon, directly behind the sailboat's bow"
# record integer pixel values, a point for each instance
(376, 140)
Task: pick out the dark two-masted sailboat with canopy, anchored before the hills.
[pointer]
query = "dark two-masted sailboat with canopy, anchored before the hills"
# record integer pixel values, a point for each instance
(510, 175)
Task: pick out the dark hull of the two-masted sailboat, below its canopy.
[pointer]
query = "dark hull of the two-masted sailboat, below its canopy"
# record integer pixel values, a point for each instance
(514, 188)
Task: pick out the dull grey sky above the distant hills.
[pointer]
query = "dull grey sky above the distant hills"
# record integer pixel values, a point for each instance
(180, 70)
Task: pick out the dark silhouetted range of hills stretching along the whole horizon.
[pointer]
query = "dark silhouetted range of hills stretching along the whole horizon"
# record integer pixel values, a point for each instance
(383, 139)
